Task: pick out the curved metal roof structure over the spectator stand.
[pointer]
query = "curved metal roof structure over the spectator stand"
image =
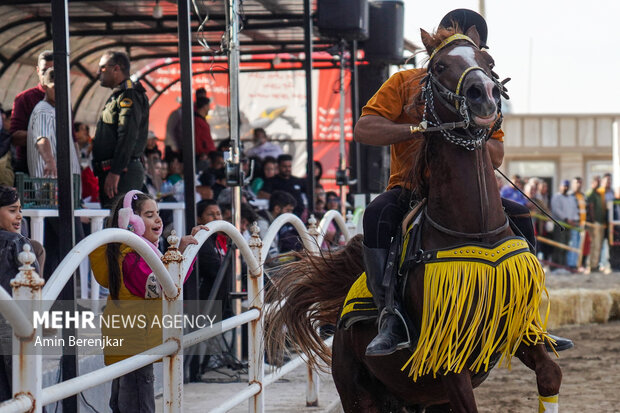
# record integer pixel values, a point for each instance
(268, 27)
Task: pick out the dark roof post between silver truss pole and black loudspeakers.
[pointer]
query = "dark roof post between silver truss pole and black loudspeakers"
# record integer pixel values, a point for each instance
(310, 182)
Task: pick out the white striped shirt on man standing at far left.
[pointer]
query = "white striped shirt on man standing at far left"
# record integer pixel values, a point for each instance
(42, 123)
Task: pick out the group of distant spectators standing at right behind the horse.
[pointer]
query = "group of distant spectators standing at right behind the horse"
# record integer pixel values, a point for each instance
(582, 214)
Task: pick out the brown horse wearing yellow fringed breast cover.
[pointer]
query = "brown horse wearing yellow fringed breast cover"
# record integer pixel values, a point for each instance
(470, 317)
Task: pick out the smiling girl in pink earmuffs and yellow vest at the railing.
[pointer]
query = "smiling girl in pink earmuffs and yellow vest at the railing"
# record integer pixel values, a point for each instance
(131, 281)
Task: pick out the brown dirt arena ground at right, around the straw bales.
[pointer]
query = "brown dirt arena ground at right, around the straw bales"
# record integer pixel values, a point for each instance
(591, 370)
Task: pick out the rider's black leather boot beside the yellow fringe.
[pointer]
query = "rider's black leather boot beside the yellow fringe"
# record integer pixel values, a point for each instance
(392, 334)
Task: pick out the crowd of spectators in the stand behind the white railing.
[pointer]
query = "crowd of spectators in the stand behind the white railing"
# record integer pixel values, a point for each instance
(125, 168)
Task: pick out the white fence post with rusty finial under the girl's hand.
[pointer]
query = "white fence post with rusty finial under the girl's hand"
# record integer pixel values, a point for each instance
(173, 306)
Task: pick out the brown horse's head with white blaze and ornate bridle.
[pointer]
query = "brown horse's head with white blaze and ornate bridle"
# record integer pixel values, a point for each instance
(460, 85)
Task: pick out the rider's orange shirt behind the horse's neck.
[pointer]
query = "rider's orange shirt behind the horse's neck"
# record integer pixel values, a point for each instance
(395, 101)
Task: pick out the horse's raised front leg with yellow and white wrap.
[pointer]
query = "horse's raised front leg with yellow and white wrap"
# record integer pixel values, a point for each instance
(548, 375)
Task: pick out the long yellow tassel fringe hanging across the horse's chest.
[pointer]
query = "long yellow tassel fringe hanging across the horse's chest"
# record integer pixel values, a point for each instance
(465, 303)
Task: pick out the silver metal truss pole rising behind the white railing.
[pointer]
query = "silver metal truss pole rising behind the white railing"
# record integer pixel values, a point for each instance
(234, 164)
